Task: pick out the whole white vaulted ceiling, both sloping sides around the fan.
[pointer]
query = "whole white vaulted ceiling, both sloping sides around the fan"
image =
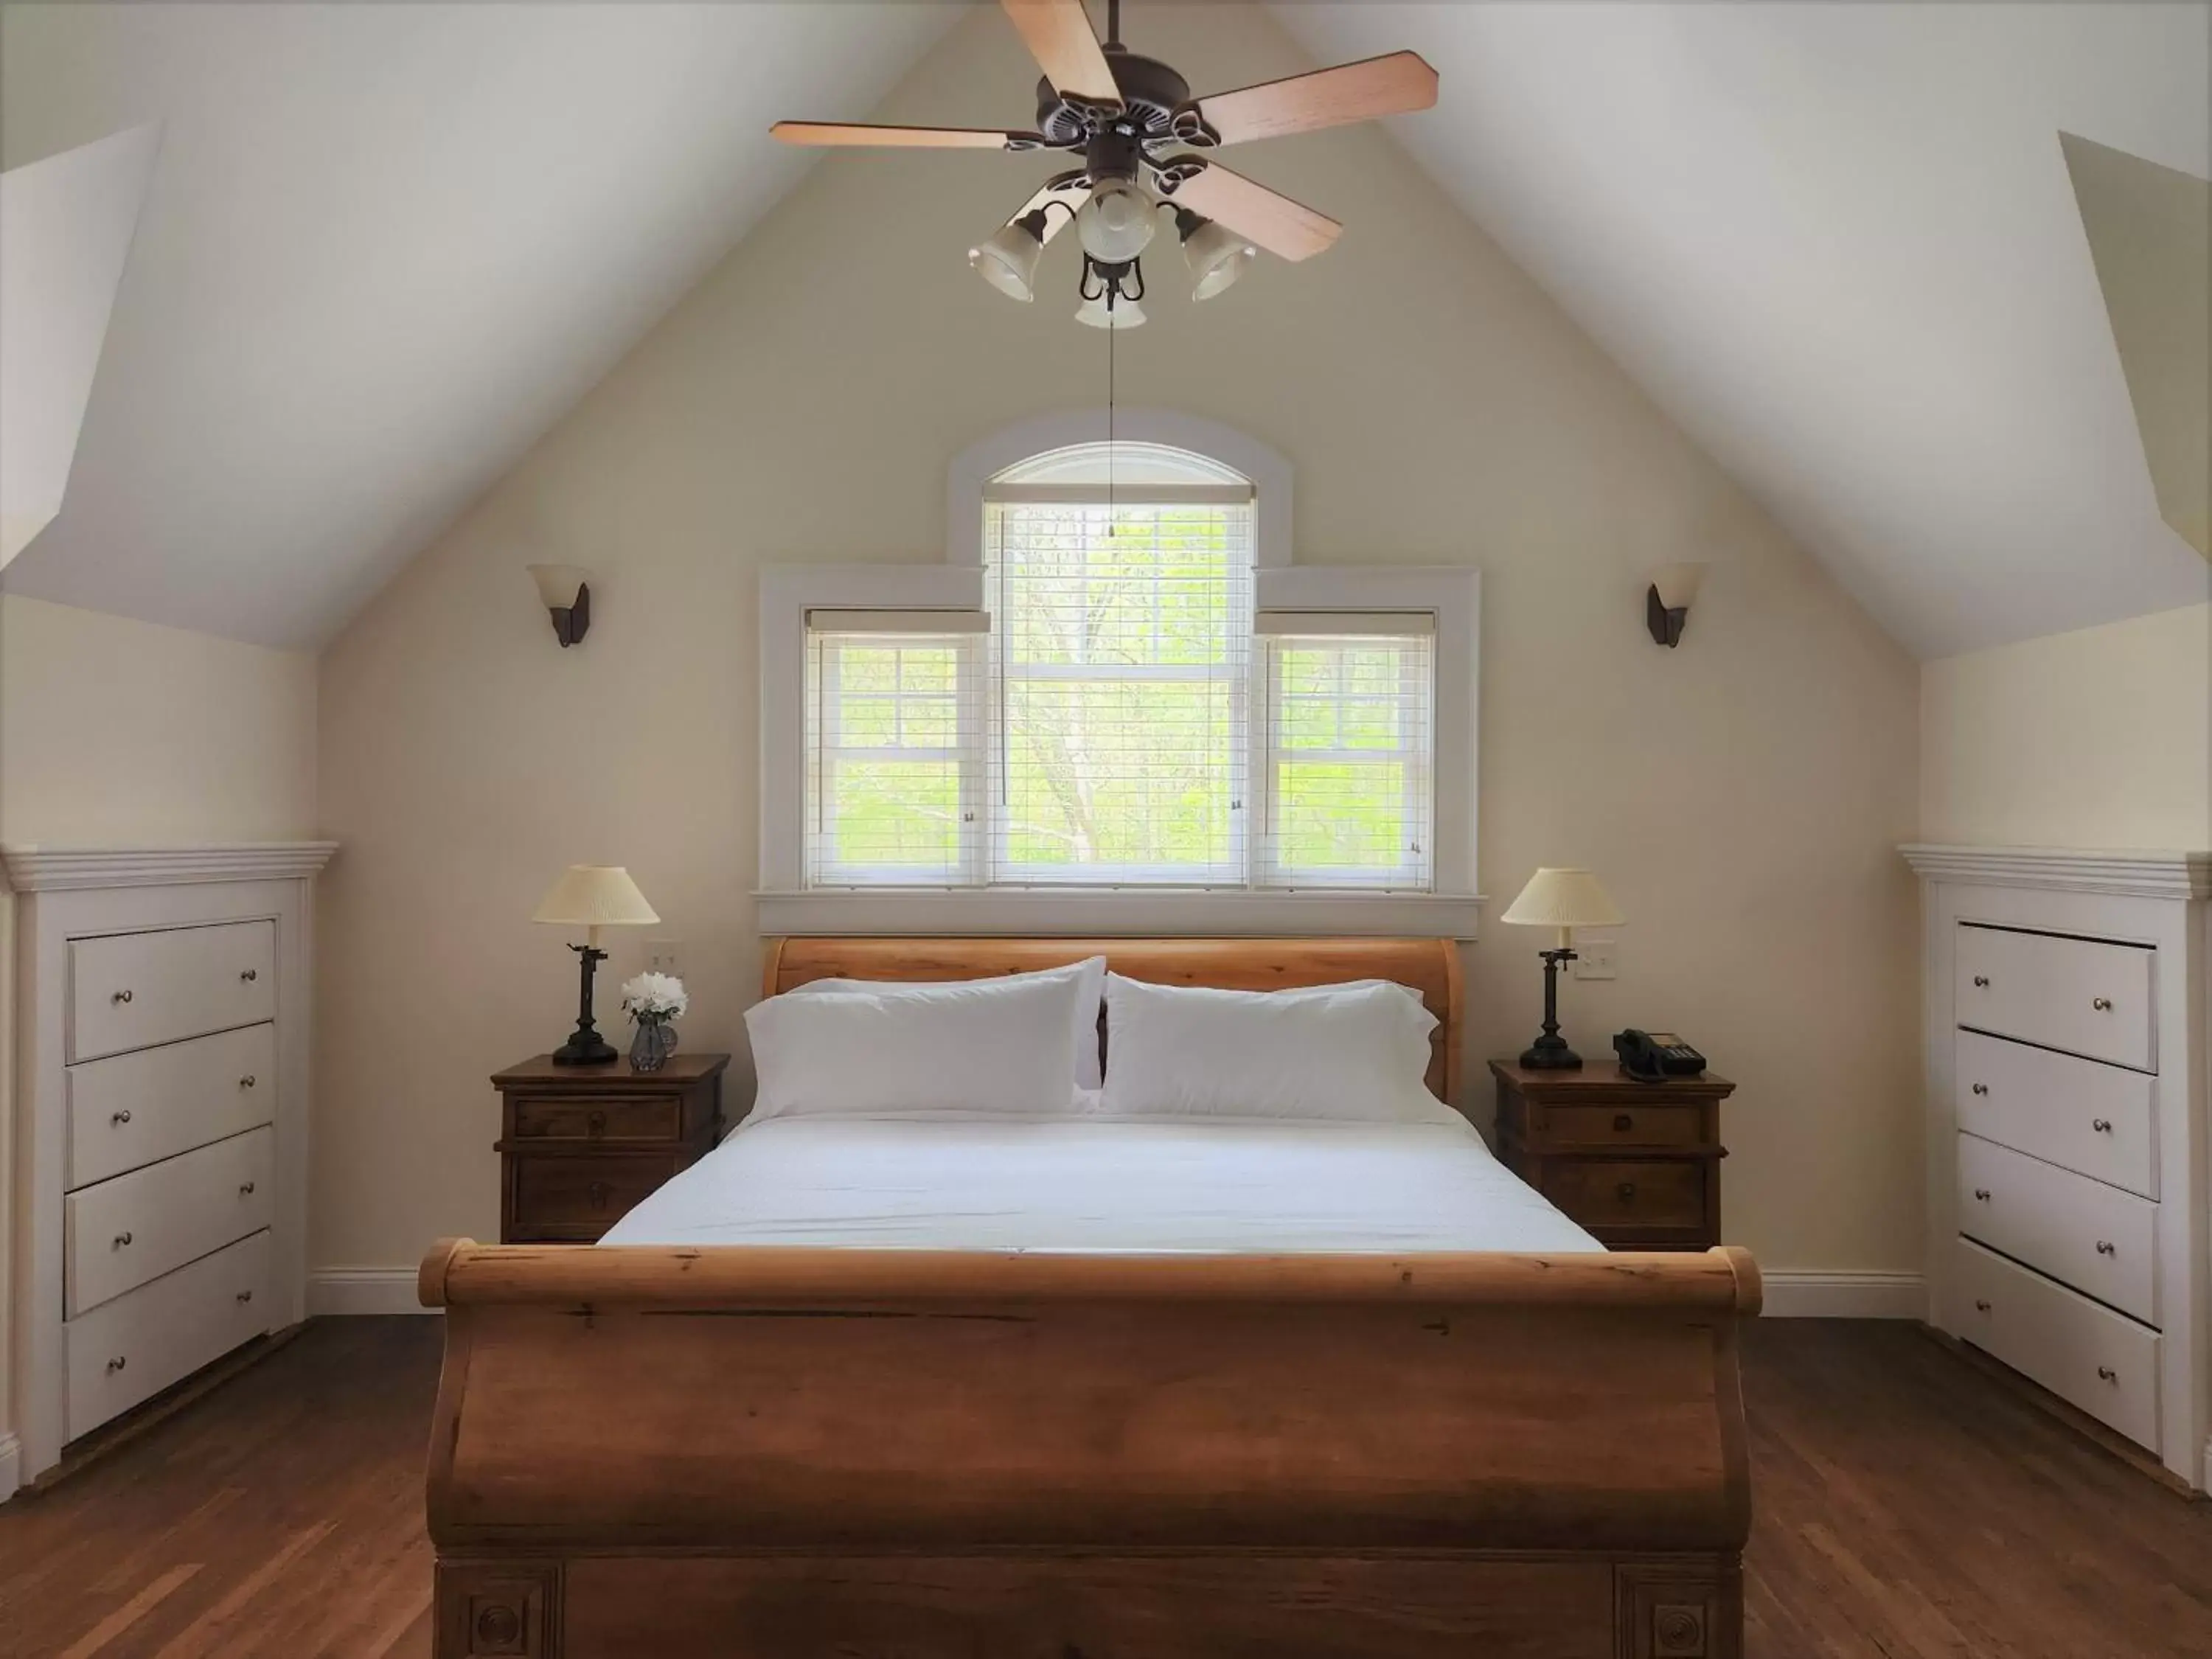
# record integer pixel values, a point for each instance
(388, 247)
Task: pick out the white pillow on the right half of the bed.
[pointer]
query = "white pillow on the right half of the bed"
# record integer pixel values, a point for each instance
(1344, 1052)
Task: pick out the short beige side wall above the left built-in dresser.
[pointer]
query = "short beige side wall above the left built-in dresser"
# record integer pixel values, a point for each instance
(123, 733)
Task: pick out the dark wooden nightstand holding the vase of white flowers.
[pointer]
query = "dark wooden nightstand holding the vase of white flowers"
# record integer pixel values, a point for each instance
(583, 1145)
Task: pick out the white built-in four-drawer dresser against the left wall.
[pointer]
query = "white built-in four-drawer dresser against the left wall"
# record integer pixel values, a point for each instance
(160, 1198)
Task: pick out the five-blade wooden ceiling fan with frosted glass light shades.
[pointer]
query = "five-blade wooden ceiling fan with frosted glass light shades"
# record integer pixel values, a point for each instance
(1123, 114)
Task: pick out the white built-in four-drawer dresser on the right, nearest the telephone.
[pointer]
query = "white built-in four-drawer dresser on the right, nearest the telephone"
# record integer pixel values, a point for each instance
(2067, 1021)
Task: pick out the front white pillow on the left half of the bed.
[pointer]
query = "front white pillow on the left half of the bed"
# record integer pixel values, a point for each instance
(988, 1047)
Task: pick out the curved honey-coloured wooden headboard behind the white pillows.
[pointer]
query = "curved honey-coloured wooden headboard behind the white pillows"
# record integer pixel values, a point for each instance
(1426, 966)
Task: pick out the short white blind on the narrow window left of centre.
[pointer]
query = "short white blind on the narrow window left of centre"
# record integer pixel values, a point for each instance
(895, 749)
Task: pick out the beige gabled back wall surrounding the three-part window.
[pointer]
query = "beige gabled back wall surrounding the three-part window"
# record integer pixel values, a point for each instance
(1742, 795)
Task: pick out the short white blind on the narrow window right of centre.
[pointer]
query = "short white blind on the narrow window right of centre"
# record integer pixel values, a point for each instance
(1350, 751)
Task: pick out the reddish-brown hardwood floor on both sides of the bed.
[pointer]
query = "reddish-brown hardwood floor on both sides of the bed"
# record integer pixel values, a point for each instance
(1910, 1507)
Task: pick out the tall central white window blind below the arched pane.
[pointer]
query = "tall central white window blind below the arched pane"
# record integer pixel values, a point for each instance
(1123, 667)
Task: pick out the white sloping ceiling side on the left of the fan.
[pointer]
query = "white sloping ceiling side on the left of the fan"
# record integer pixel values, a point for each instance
(384, 251)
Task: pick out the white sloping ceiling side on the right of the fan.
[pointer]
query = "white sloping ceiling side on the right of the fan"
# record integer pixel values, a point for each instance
(1839, 247)
